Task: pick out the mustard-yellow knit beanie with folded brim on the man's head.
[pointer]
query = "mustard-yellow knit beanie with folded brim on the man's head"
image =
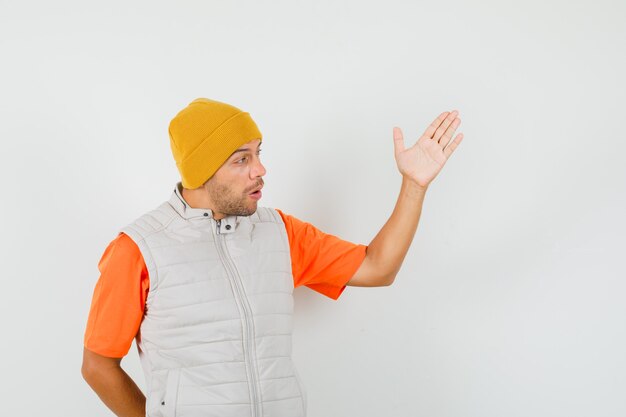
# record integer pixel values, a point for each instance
(203, 136)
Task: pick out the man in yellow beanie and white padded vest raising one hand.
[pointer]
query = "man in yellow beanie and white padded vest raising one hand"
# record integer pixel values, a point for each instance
(204, 282)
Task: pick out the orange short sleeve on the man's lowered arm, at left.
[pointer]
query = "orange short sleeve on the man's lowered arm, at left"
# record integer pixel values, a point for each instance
(119, 299)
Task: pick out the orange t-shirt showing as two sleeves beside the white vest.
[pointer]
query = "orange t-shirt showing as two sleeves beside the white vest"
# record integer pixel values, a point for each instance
(319, 261)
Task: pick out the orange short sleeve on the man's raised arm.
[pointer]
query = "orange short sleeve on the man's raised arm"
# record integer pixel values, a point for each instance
(321, 261)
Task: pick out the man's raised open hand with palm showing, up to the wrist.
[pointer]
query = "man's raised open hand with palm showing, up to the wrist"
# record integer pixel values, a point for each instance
(422, 162)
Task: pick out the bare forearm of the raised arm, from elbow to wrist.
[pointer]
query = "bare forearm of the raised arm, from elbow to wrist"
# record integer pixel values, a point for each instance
(389, 247)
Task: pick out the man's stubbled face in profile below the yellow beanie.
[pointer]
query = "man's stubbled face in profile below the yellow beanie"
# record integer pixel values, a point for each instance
(235, 188)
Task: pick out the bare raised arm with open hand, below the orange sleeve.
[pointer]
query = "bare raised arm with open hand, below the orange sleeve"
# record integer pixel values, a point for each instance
(419, 165)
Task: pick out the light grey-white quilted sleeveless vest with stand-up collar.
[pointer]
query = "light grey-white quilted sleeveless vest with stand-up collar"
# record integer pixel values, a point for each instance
(215, 339)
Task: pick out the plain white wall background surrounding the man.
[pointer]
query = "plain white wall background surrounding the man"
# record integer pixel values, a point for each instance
(511, 299)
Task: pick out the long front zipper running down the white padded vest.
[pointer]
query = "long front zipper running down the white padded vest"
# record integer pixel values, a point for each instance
(247, 331)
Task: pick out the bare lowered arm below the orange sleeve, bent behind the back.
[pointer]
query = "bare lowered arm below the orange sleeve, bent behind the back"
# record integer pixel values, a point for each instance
(114, 387)
